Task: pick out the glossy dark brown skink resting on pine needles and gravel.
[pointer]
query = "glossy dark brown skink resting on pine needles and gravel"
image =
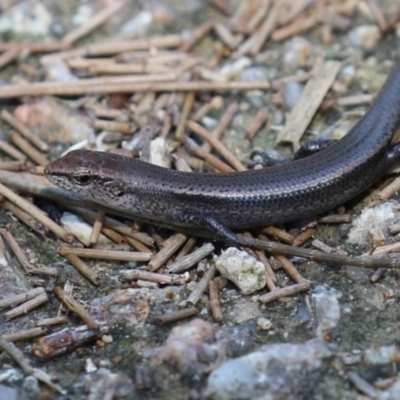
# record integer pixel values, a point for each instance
(221, 202)
